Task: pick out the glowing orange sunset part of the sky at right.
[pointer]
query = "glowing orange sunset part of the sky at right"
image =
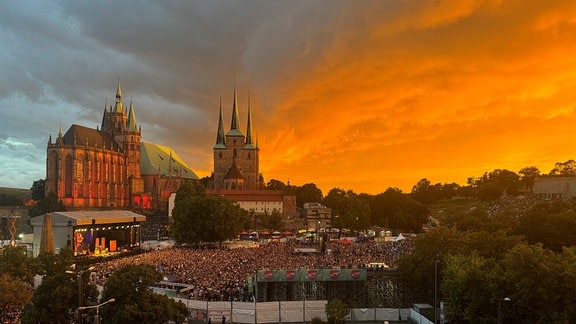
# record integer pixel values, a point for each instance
(443, 90)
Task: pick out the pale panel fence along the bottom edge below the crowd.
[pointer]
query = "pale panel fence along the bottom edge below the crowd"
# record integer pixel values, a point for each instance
(282, 312)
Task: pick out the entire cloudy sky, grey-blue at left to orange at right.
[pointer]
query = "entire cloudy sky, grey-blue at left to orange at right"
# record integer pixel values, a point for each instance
(357, 95)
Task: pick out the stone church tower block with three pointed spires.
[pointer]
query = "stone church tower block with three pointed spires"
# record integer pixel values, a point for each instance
(235, 153)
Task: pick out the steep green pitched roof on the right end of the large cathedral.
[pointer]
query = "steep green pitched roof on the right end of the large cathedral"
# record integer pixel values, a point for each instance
(159, 159)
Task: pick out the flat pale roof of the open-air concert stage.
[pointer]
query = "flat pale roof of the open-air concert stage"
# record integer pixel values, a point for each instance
(78, 218)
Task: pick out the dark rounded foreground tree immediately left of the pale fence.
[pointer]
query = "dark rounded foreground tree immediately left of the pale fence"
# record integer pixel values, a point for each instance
(135, 302)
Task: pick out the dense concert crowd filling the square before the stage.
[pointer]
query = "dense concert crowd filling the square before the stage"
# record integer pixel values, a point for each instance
(221, 273)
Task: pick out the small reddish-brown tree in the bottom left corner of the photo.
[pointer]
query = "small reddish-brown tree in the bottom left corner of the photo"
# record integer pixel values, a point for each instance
(14, 294)
